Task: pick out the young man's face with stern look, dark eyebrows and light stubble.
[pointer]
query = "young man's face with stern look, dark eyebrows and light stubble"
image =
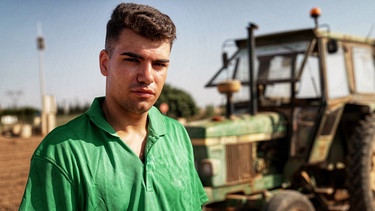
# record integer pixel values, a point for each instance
(136, 72)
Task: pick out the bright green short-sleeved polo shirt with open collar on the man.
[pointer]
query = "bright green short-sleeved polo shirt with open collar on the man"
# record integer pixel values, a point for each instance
(84, 165)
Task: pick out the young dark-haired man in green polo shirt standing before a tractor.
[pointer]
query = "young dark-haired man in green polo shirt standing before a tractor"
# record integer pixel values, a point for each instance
(122, 154)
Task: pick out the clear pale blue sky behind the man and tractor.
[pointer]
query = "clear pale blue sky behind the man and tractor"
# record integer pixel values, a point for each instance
(75, 30)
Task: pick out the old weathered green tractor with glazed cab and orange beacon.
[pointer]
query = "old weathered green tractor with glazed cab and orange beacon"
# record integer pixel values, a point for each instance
(299, 129)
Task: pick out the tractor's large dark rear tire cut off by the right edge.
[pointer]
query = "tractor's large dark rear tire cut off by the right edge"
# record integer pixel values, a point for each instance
(361, 166)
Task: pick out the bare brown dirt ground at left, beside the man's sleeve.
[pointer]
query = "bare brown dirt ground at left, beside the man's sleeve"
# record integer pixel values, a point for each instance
(15, 154)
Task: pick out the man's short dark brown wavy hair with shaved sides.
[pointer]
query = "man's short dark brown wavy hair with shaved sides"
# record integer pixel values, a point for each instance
(142, 19)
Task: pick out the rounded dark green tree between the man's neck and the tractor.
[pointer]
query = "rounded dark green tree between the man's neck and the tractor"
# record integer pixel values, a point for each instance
(180, 103)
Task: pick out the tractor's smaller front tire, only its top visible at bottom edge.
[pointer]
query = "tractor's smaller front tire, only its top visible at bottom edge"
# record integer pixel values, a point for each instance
(289, 200)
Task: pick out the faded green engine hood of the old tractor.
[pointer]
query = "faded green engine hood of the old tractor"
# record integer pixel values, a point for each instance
(241, 128)
